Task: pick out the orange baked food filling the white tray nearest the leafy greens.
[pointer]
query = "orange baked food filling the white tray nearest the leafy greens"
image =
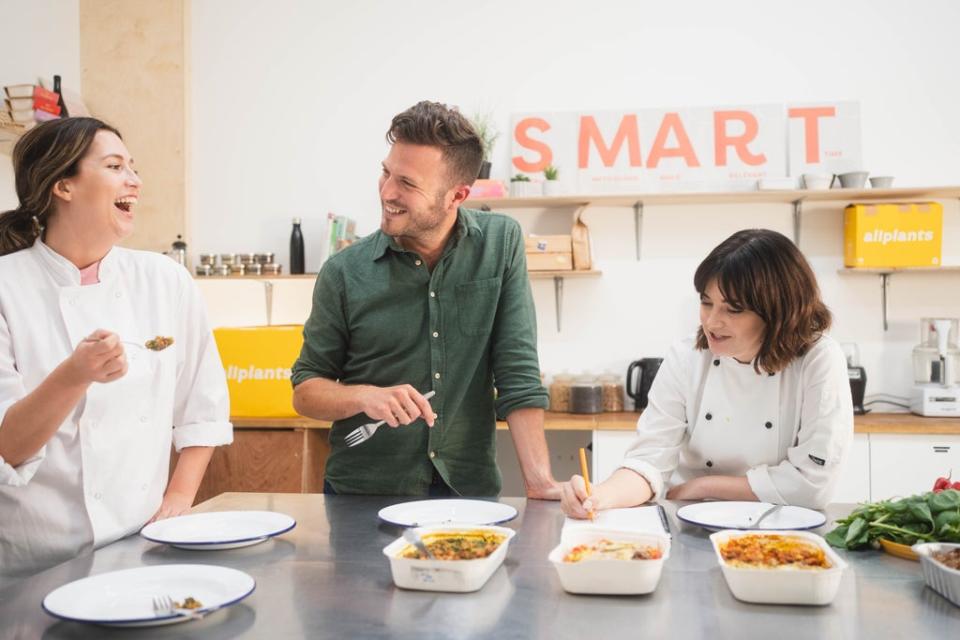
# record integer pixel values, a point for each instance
(773, 552)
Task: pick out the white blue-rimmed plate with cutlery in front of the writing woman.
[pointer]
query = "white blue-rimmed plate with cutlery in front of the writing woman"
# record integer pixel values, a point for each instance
(720, 515)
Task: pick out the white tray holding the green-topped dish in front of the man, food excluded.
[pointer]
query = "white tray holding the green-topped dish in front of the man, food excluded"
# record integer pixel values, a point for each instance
(446, 575)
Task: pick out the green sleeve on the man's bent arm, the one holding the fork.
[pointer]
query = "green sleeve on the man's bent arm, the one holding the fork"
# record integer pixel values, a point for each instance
(325, 336)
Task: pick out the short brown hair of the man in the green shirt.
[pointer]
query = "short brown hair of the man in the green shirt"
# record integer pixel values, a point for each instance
(437, 125)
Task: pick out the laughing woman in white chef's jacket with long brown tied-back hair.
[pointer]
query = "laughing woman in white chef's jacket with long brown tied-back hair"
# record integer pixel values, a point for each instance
(87, 412)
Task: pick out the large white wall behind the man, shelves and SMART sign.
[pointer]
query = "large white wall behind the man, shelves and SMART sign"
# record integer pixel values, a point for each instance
(290, 101)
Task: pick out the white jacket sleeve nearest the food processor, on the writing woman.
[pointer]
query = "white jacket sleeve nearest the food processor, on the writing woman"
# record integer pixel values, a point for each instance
(810, 472)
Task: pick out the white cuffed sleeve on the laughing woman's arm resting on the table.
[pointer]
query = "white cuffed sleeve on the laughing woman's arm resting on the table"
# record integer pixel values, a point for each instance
(201, 416)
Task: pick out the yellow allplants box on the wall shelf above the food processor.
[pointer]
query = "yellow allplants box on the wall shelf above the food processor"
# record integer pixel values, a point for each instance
(893, 235)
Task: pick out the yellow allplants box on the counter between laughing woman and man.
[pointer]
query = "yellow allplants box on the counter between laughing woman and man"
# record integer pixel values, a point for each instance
(258, 362)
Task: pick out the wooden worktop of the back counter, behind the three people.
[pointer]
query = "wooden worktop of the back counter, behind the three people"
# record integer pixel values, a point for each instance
(905, 423)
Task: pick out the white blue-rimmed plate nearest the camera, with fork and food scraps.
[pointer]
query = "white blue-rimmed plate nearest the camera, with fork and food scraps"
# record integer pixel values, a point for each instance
(125, 598)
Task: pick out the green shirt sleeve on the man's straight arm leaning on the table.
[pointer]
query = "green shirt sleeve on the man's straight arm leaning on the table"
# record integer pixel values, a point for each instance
(516, 368)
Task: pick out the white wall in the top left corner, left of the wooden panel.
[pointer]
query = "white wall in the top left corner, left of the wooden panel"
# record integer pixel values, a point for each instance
(38, 39)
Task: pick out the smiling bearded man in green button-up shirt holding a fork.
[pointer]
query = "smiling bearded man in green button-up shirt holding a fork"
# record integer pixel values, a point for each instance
(437, 300)
